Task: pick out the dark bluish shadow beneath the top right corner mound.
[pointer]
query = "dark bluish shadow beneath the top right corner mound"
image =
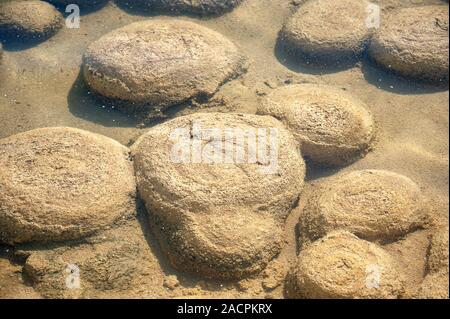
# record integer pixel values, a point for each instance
(394, 83)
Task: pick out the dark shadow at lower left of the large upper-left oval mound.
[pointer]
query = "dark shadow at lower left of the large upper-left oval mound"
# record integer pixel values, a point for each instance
(86, 105)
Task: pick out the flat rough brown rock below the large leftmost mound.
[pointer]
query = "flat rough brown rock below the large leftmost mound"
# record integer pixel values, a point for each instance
(118, 263)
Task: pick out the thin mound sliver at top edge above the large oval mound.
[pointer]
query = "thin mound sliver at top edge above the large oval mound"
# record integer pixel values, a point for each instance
(201, 7)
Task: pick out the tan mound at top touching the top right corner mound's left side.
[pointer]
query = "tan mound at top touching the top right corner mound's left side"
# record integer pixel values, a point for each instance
(327, 31)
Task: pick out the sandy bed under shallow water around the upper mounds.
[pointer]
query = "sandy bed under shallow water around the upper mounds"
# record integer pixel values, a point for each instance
(40, 86)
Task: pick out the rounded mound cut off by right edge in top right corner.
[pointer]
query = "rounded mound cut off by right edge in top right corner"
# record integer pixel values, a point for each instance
(414, 43)
